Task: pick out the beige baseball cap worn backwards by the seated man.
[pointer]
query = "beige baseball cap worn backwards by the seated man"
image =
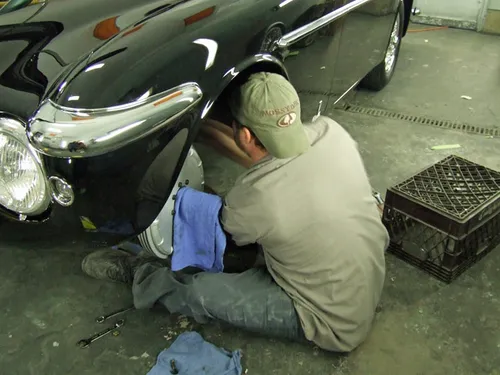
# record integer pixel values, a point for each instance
(269, 105)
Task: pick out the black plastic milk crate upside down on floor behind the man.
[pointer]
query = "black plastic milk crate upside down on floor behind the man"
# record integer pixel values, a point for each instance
(445, 218)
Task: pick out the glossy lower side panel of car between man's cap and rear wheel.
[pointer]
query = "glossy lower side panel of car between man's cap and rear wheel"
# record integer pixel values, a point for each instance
(344, 52)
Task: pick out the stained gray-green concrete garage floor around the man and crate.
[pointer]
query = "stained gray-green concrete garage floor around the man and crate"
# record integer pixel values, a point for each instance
(425, 327)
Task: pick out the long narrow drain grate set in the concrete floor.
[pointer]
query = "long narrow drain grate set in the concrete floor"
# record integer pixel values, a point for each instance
(445, 124)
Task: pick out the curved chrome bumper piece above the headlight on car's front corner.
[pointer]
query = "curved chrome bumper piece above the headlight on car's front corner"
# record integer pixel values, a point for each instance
(72, 132)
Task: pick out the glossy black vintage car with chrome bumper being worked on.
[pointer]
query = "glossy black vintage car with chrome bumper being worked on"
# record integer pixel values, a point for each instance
(101, 101)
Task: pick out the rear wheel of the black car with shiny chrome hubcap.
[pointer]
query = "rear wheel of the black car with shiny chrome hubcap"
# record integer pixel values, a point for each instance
(381, 75)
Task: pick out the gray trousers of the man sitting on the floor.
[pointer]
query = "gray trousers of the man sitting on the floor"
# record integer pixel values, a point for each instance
(250, 300)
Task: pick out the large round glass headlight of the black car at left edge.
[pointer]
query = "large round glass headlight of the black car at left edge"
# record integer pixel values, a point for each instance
(23, 186)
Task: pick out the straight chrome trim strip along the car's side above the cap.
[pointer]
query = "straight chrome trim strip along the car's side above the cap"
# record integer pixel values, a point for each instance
(297, 34)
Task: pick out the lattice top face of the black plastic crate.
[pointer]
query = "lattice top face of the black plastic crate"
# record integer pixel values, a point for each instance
(454, 185)
